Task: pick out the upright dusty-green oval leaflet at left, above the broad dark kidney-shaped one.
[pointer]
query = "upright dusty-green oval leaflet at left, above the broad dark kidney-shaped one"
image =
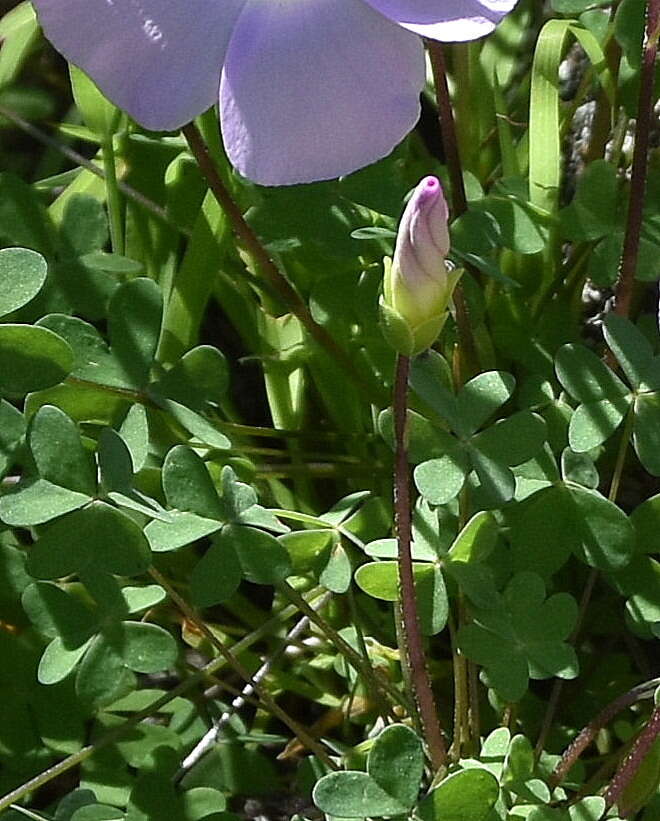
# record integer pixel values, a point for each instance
(58, 452)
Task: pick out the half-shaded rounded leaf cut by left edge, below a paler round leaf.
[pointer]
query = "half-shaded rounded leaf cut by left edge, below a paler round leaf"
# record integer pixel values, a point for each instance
(32, 358)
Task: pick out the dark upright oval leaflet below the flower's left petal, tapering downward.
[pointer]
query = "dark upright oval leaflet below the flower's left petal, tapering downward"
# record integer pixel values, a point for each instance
(134, 319)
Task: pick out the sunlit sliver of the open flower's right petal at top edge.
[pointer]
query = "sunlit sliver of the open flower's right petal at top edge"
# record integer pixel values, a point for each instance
(446, 20)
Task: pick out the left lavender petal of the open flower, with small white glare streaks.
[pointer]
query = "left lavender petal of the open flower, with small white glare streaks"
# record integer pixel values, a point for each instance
(159, 60)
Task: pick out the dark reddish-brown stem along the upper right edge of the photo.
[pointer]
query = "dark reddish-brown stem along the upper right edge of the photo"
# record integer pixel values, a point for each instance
(624, 287)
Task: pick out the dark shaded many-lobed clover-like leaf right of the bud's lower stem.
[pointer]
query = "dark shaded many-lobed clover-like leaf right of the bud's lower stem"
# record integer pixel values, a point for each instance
(524, 636)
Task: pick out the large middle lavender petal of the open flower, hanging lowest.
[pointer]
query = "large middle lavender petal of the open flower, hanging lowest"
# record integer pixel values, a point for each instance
(310, 94)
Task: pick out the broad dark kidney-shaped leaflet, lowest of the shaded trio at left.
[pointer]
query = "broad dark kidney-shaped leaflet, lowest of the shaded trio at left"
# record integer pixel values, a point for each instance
(98, 536)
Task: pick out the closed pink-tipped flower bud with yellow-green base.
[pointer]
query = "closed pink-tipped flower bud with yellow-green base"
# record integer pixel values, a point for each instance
(418, 284)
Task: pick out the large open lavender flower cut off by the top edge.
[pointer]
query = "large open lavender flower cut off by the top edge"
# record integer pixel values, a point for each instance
(309, 89)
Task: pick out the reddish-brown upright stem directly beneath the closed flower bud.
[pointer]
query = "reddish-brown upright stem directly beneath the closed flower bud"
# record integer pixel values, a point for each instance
(419, 676)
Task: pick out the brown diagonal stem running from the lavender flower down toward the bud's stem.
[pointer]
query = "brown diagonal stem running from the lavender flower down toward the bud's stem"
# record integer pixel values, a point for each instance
(278, 282)
